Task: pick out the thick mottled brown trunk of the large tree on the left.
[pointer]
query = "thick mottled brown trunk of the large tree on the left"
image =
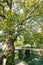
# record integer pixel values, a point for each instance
(9, 50)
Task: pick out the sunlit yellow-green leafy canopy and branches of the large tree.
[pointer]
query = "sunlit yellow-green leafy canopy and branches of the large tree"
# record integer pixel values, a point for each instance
(21, 18)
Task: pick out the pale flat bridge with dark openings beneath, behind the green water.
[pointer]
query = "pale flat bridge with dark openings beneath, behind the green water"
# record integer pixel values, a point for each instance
(26, 51)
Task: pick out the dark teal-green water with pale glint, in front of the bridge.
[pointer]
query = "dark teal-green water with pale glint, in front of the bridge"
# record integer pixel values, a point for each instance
(35, 61)
